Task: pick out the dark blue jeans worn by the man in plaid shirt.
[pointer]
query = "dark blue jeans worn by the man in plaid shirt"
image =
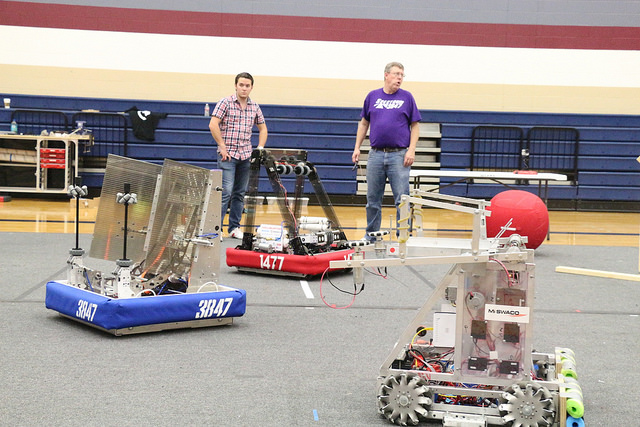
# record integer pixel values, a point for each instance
(235, 179)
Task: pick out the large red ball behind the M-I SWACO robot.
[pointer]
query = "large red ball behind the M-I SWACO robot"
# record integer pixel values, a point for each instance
(528, 212)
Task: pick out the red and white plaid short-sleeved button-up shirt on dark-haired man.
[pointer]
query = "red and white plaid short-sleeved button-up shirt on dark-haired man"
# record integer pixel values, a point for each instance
(236, 125)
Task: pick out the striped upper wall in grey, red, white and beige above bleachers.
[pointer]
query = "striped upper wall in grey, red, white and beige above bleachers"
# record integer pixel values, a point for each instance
(560, 56)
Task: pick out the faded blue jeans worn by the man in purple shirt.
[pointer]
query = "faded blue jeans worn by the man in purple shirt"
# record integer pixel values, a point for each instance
(381, 166)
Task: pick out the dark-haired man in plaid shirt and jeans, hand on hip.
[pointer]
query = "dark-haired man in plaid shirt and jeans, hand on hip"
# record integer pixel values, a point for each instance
(231, 125)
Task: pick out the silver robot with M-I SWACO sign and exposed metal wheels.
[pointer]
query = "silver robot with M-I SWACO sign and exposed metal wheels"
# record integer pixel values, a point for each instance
(466, 359)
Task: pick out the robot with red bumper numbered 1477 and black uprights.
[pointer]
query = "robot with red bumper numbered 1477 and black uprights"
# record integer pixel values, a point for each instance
(300, 246)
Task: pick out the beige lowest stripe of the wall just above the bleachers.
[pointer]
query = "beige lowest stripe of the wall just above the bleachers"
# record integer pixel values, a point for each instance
(92, 83)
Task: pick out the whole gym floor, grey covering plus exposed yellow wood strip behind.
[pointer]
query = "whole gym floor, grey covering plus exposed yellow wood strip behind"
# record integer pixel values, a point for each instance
(292, 360)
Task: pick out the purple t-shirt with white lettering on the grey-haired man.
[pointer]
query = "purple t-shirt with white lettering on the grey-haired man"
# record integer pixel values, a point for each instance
(389, 117)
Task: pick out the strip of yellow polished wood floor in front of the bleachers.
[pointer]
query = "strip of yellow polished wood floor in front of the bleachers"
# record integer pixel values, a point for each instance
(567, 227)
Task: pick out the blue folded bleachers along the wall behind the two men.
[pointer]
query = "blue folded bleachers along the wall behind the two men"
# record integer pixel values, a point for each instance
(607, 166)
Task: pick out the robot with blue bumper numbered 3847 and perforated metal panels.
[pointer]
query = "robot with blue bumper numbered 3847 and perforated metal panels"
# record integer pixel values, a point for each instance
(166, 219)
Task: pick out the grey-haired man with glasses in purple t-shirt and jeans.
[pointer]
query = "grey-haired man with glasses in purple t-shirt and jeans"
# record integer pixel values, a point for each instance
(392, 116)
